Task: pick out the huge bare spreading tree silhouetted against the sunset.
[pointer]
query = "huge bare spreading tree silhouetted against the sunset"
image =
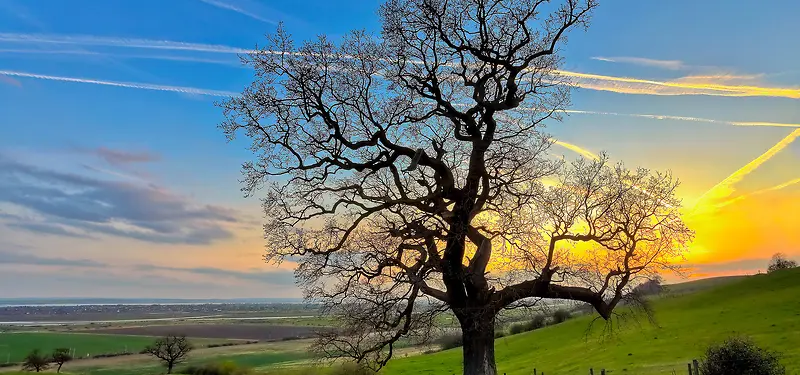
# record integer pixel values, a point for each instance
(409, 175)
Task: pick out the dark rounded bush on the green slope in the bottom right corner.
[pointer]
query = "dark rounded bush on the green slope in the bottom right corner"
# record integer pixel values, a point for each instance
(739, 355)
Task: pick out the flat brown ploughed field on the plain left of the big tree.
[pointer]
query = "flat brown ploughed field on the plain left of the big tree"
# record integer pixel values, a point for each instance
(259, 332)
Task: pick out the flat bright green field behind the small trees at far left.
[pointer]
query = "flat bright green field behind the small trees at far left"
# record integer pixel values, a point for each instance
(14, 346)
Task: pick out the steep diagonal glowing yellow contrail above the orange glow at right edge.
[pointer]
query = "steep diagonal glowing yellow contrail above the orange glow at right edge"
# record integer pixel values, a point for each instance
(709, 200)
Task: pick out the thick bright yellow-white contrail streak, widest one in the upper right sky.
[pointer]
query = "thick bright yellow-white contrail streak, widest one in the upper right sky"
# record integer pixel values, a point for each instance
(682, 86)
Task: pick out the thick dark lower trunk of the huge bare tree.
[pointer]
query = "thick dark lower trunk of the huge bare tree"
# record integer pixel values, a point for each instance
(478, 339)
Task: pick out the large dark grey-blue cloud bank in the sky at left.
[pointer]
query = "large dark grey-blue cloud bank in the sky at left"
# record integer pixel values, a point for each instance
(76, 205)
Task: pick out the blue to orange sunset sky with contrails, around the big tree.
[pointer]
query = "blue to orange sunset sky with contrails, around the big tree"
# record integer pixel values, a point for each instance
(116, 182)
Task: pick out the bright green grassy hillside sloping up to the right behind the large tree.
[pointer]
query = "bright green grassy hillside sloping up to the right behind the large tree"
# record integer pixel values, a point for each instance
(765, 307)
